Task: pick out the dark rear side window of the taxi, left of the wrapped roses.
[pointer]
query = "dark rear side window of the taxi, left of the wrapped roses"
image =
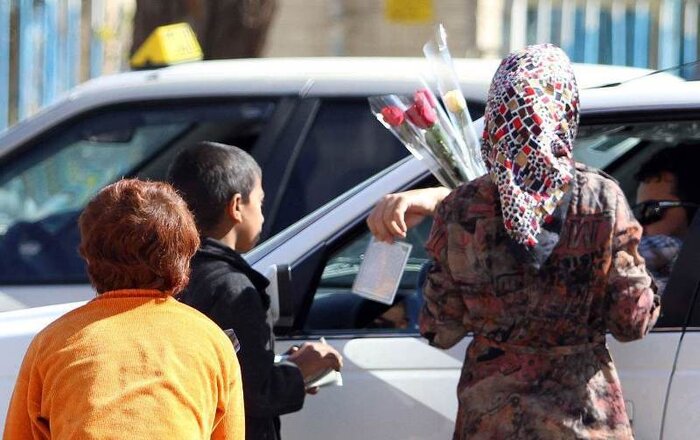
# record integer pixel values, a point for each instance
(344, 146)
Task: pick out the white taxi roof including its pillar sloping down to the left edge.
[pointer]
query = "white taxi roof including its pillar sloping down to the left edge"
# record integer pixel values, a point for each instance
(282, 77)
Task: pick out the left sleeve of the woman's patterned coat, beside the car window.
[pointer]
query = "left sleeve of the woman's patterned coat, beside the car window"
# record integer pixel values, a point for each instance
(441, 318)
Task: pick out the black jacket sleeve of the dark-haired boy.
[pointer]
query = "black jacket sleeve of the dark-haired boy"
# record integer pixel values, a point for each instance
(269, 389)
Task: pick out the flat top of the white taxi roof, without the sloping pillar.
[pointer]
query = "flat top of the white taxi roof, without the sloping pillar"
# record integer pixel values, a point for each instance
(345, 76)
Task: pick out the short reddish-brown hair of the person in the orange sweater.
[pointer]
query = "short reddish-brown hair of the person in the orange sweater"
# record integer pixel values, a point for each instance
(138, 235)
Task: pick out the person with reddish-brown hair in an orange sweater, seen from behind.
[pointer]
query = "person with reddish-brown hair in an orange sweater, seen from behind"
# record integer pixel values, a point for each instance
(133, 362)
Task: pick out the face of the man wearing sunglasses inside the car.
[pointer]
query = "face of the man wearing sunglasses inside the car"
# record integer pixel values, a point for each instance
(674, 221)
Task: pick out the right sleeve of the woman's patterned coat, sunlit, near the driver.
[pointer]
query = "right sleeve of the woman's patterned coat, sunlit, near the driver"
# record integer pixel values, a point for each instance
(632, 302)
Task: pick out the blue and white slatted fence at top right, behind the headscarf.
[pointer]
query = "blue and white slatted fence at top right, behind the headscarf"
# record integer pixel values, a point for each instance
(641, 33)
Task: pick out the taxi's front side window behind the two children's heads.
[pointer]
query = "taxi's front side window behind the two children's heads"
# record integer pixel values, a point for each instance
(43, 191)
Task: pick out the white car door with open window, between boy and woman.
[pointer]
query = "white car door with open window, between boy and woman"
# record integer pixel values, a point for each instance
(395, 385)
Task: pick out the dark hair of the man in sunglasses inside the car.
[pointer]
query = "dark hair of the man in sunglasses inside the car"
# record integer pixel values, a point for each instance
(678, 161)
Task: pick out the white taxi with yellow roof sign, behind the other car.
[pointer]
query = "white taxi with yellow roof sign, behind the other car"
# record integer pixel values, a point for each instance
(300, 118)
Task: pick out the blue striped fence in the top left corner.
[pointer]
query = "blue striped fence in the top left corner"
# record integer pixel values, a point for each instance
(46, 48)
